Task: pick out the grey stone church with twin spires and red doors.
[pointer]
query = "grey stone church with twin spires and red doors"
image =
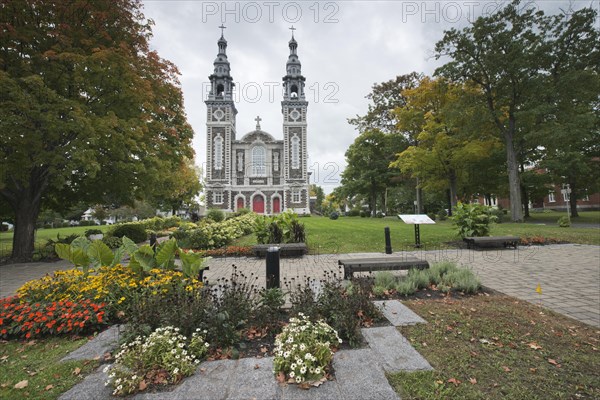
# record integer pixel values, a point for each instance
(256, 171)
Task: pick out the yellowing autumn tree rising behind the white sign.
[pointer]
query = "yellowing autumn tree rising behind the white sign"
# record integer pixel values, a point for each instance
(454, 145)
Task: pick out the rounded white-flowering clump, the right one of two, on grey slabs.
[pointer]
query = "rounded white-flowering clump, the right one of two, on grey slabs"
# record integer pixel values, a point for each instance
(303, 351)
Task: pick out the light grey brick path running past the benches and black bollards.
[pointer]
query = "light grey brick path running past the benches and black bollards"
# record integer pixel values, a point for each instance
(568, 274)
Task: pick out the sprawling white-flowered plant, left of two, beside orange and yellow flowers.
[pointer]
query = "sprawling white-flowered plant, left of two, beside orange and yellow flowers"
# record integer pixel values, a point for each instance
(164, 357)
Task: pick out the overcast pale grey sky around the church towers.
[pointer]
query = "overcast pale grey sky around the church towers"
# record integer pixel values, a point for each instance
(344, 46)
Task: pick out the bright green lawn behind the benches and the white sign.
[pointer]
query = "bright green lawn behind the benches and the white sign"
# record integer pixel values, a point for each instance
(355, 234)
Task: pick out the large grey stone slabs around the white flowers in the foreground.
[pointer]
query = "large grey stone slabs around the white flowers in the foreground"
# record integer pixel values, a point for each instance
(359, 374)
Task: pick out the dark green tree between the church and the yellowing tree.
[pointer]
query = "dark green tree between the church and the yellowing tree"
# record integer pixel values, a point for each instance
(368, 171)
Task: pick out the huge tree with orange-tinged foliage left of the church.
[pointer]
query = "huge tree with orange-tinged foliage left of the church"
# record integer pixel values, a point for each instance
(87, 111)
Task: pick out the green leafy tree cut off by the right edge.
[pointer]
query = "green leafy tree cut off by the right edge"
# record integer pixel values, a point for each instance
(570, 126)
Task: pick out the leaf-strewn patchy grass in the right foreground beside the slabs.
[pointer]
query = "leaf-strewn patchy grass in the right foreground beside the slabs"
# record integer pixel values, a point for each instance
(499, 348)
